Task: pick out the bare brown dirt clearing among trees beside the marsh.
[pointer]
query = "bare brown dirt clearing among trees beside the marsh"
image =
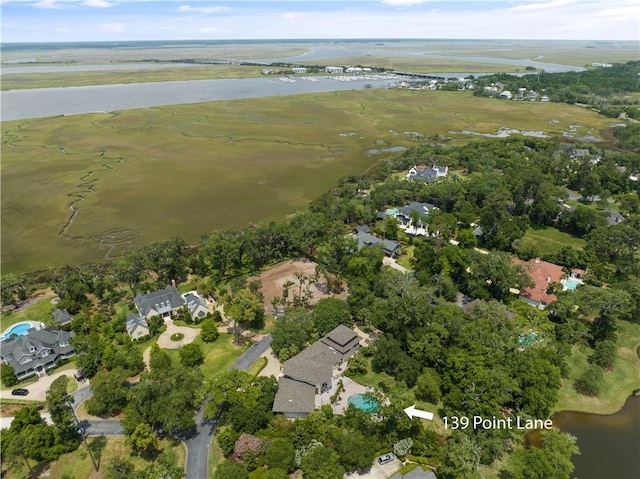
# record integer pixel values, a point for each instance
(274, 279)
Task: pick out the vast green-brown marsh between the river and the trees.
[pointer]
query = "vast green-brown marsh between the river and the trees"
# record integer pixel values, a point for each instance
(142, 175)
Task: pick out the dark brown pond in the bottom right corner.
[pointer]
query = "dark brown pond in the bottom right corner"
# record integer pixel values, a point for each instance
(608, 445)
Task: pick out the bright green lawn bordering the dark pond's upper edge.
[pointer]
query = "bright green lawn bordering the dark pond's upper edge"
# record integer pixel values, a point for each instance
(617, 385)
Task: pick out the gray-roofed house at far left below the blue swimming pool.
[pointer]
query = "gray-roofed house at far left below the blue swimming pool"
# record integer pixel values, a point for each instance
(37, 351)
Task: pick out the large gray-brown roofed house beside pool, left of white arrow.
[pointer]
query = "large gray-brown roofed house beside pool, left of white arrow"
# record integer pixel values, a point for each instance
(312, 372)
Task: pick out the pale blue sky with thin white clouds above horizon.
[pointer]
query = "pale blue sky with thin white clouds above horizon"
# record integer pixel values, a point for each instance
(122, 20)
